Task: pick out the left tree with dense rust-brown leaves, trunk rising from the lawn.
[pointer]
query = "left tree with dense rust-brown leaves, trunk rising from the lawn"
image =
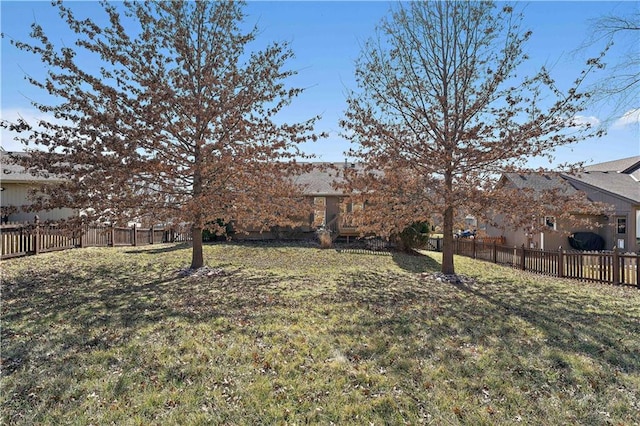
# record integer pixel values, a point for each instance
(165, 111)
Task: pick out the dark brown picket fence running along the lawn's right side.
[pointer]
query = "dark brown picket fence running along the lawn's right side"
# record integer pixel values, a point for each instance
(608, 267)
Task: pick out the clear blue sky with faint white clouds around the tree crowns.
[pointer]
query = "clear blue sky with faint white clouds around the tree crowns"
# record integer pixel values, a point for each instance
(326, 37)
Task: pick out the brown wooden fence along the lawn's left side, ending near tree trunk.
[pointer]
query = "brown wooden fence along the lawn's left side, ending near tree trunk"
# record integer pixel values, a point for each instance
(23, 240)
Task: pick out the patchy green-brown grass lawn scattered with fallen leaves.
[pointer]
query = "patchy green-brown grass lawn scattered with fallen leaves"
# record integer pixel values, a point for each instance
(297, 335)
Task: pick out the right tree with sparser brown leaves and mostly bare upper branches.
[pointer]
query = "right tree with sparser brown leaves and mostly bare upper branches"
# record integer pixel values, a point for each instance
(441, 111)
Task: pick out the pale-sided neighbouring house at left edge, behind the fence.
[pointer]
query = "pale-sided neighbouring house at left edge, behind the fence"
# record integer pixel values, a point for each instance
(15, 184)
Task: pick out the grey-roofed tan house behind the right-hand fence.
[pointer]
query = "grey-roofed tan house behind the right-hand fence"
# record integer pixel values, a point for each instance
(615, 183)
